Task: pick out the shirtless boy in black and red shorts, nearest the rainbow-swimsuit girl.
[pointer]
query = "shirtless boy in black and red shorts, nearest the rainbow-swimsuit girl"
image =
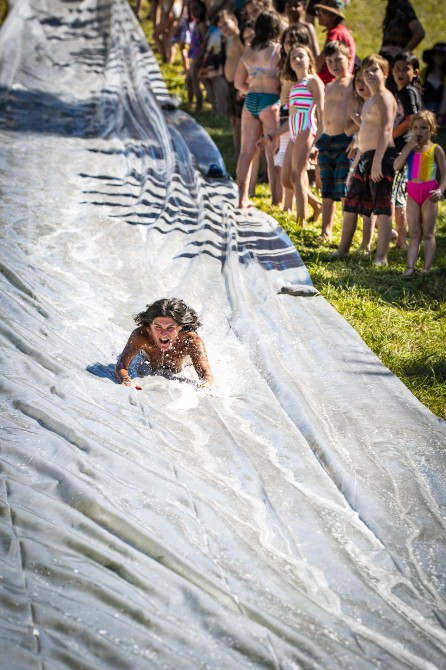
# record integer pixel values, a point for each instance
(371, 175)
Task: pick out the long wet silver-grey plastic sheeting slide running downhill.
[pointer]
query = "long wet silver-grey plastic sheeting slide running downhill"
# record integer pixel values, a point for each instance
(293, 517)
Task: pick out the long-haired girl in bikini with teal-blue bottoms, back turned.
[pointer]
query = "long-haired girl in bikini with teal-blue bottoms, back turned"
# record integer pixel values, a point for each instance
(257, 77)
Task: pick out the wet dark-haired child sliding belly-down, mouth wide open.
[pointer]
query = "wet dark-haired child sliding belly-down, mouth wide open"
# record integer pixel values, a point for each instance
(166, 334)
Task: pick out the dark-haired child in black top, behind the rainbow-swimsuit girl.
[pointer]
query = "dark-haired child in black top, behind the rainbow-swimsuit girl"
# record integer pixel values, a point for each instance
(405, 73)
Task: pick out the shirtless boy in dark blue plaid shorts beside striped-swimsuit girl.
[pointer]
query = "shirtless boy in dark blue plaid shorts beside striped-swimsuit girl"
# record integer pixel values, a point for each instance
(333, 144)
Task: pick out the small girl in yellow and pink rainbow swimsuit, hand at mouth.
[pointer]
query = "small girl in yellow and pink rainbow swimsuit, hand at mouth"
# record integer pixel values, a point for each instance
(424, 159)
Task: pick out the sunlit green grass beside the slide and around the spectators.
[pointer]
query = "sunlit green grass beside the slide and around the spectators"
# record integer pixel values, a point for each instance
(402, 321)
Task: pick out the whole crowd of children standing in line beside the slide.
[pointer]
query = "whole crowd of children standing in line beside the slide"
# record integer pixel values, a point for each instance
(366, 127)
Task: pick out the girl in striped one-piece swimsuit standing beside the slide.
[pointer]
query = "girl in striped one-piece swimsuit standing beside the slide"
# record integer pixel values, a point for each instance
(306, 101)
